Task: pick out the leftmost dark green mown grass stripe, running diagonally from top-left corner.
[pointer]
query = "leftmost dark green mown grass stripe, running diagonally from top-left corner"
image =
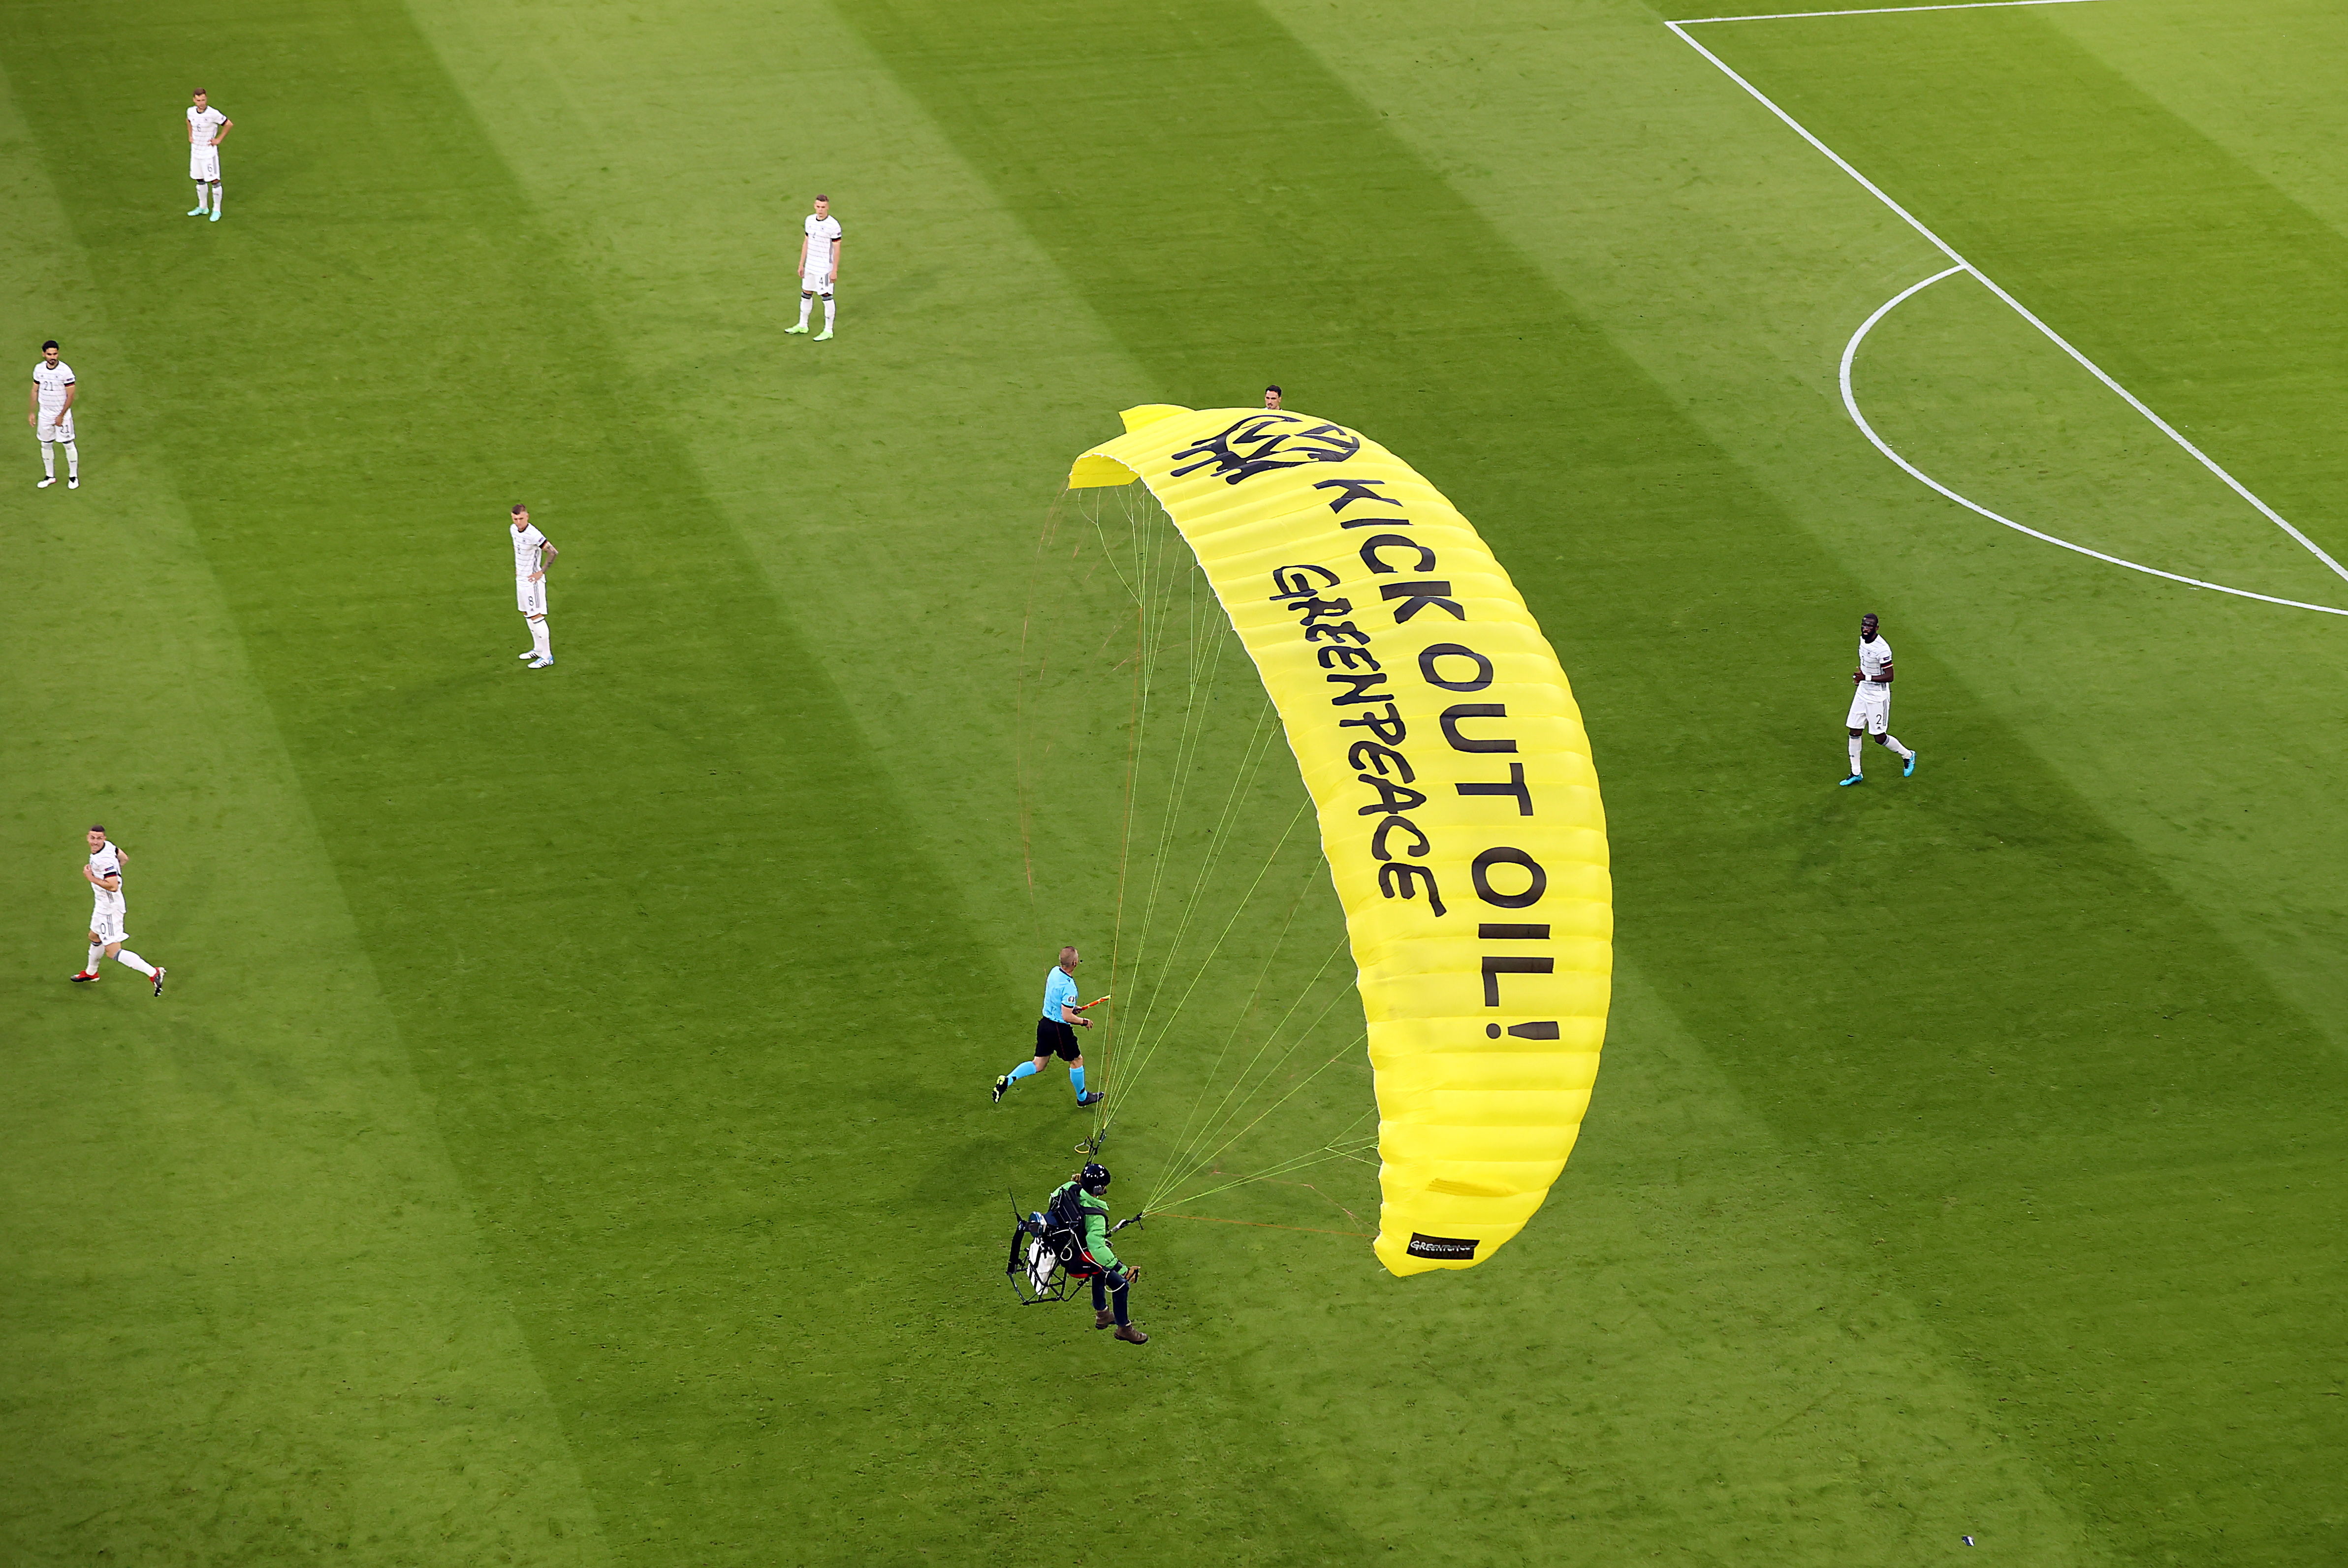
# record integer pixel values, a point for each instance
(635, 914)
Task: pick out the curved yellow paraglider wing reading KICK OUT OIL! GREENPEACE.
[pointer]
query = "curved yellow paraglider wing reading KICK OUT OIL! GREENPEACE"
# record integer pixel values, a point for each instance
(1452, 778)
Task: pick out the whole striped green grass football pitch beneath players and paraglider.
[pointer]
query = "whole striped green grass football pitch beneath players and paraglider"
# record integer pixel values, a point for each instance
(567, 1144)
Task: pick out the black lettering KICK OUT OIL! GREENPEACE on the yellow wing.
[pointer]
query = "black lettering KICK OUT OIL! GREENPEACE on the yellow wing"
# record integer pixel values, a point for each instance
(1365, 701)
